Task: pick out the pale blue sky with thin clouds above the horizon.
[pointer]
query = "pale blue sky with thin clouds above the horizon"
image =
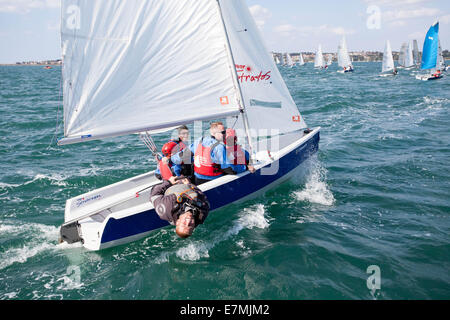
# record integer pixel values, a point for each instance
(29, 29)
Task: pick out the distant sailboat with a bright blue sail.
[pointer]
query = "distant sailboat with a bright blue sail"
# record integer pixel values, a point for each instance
(430, 55)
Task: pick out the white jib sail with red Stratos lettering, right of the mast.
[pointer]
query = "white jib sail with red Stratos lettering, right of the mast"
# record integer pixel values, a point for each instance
(268, 103)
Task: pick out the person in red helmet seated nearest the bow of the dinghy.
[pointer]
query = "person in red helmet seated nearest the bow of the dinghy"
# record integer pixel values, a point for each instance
(236, 155)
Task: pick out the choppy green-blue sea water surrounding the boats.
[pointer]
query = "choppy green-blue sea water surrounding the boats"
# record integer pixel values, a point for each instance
(376, 194)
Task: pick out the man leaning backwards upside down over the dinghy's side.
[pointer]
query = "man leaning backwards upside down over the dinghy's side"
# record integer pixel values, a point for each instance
(181, 204)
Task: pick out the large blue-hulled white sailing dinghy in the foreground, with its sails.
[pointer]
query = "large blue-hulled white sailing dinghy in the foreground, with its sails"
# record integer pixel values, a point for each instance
(116, 82)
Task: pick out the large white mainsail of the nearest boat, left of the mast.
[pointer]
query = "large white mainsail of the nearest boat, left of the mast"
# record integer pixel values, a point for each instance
(136, 65)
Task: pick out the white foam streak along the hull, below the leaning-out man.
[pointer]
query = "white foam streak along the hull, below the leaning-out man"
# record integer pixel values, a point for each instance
(249, 218)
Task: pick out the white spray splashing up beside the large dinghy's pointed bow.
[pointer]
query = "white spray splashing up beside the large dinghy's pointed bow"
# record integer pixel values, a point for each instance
(316, 189)
